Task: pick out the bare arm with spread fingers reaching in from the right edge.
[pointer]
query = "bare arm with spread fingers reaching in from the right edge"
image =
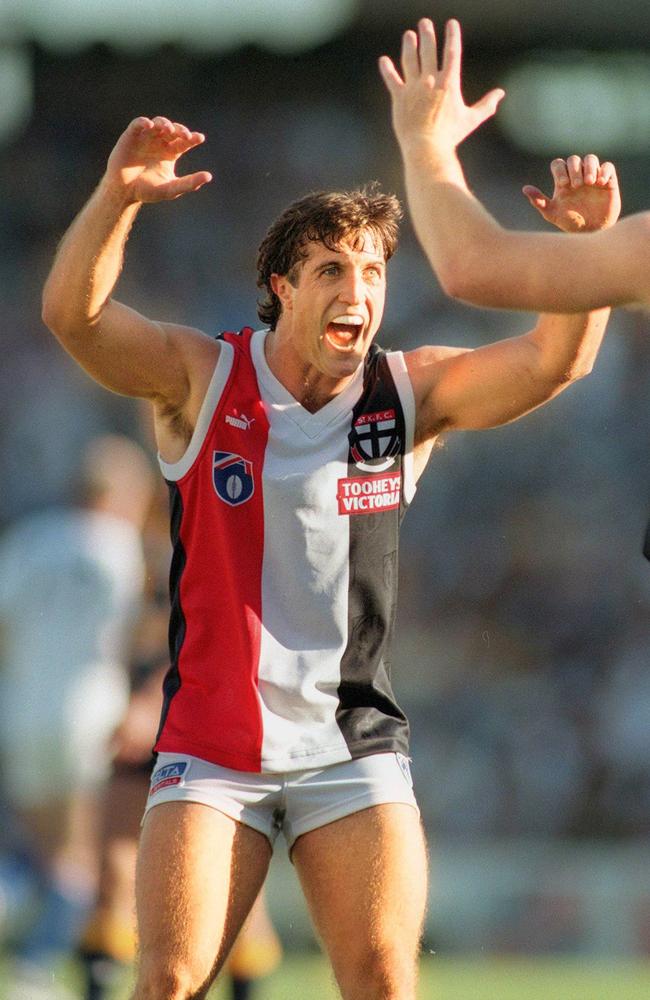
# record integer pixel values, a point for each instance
(475, 258)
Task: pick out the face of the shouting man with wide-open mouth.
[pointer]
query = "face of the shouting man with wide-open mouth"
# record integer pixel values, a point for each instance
(333, 310)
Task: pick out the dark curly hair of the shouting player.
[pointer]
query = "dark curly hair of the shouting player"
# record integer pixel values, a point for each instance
(327, 217)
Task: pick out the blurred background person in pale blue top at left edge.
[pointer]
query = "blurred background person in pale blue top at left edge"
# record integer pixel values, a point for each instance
(71, 581)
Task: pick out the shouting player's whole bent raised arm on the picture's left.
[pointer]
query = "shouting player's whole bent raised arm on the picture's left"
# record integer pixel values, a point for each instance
(121, 349)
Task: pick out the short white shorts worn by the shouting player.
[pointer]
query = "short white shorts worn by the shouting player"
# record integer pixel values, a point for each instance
(293, 802)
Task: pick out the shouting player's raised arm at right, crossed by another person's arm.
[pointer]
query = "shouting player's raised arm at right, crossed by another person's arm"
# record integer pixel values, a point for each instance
(499, 382)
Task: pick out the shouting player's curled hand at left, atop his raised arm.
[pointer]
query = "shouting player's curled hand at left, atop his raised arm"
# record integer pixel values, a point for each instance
(143, 163)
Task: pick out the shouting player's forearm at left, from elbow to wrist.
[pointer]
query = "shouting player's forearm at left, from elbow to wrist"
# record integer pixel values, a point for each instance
(88, 263)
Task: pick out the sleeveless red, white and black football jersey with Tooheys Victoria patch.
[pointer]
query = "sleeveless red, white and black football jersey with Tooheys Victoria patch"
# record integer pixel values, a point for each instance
(284, 573)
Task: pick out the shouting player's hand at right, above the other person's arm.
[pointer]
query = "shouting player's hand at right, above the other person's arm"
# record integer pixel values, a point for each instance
(585, 195)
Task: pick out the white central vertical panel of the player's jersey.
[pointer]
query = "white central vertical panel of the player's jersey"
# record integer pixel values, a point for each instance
(306, 569)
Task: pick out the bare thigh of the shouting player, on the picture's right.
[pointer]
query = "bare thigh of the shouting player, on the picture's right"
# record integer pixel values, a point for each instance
(365, 881)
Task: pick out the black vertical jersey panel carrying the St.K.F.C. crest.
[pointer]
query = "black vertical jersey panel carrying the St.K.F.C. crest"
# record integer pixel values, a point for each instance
(368, 715)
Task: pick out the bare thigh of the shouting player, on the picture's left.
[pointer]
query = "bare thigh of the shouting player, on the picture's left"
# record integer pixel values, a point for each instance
(198, 874)
